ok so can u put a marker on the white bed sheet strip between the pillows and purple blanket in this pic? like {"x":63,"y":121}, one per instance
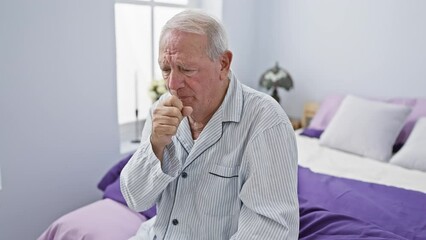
{"x":337,"y":163}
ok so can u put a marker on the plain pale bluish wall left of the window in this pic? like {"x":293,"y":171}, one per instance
{"x":58,"y":128}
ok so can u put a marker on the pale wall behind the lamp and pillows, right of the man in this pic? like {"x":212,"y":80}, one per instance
{"x":362,"y":47}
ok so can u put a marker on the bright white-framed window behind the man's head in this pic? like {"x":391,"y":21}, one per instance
{"x":138,"y":25}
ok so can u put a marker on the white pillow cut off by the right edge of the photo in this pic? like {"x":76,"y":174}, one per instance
{"x":413,"y":154}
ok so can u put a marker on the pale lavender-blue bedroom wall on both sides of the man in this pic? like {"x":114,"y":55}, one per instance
{"x":58,"y":131}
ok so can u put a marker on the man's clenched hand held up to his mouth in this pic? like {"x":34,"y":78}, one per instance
{"x":165,"y":122}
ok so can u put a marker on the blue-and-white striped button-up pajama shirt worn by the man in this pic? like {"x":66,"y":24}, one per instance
{"x":237,"y":181}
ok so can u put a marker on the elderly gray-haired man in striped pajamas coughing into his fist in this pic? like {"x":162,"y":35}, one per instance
{"x":217,"y":157}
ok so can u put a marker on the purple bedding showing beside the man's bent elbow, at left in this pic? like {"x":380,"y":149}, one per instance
{"x":110,"y":185}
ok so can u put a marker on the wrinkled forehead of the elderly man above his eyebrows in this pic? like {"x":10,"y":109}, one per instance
{"x":183,"y":43}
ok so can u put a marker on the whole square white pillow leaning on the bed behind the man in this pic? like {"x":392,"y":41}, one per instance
{"x":365,"y":127}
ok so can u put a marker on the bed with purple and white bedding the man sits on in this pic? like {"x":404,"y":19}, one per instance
{"x":361,"y":175}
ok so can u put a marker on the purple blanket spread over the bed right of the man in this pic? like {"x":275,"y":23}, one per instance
{"x":338,"y":208}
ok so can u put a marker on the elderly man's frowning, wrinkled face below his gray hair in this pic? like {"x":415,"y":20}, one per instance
{"x":188,"y":71}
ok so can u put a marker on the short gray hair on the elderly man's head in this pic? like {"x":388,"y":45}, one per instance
{"x":198,"y":22}
